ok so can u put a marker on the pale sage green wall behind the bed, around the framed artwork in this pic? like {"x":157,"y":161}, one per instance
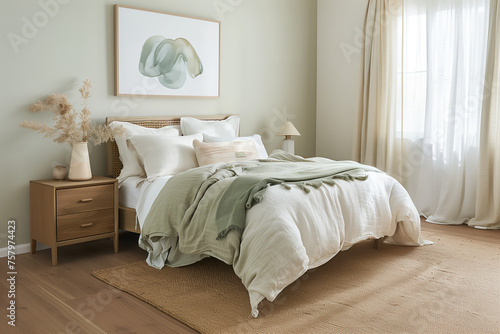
{"x":268,"y":70}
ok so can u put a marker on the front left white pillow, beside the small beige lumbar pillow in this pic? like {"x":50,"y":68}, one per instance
{"x":164,"y":155}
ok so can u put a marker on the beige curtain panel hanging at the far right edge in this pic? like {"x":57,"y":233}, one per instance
{"x":488,"y":192}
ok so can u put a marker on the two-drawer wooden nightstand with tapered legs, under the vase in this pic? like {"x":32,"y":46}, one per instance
{"x":69,"y":212}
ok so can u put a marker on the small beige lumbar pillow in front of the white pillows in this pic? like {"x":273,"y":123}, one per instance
{"x":209,"y":153}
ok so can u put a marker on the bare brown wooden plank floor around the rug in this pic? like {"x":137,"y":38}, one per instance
{"x":68,"y":299}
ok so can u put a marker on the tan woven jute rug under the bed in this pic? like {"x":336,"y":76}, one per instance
{"x":452,"y":286}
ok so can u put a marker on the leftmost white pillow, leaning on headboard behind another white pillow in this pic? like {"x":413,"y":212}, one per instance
{"x":129,"y":158}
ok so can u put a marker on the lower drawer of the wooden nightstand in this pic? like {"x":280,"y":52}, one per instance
{"x":84,"y":224}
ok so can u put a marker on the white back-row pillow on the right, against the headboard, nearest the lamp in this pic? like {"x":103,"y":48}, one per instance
{"x":226,"y":128}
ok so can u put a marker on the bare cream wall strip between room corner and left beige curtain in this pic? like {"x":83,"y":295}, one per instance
{"x":340,"y":48}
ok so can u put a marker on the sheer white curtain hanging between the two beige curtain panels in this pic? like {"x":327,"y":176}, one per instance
{"x":443,"y":45}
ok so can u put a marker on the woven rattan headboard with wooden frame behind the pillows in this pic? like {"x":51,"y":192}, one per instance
{"x":114,"y":165}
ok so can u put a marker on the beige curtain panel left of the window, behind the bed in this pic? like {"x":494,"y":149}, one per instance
{"x":376,"y":144}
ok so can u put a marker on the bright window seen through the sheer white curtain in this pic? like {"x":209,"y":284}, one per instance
{"x":442,"y":54}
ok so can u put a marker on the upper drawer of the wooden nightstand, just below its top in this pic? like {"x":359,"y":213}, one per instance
{"x":84,"y":199}
